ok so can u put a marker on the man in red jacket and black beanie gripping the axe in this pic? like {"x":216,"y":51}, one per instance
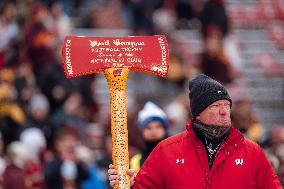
{"x":211,"y":153}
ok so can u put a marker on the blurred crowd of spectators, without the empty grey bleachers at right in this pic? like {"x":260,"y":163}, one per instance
{"x":55,"y":133}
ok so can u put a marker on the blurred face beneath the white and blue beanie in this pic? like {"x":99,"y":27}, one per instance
{"x":154,"y":131}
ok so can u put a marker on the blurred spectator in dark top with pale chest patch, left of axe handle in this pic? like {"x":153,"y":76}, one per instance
{"x":65,"y":170}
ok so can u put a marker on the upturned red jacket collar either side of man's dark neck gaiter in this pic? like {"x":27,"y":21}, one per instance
{"x":235,"y":134}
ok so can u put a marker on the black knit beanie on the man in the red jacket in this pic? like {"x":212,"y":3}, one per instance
{"x":203,"y":91}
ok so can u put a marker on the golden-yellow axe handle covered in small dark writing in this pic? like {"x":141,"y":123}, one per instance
{"x":120,"y":154}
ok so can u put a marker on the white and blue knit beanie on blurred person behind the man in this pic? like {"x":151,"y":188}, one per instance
{"x":151,"y":112}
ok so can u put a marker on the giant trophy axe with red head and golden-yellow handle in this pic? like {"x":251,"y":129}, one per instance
{"x":116,"y":56}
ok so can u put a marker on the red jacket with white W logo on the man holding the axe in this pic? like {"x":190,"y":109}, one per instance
{"x":180,"y":162}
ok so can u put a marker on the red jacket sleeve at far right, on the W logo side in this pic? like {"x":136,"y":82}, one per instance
{"x":265,"y":175}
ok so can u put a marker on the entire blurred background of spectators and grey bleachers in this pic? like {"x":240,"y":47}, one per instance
{"x":55,"y":132}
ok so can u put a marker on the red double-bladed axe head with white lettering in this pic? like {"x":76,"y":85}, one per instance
{"x":85,"y":55}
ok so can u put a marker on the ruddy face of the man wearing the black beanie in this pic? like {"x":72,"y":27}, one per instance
{"x":218,"y":113}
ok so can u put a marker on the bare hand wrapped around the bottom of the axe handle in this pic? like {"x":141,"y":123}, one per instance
{"x":114,"y":178}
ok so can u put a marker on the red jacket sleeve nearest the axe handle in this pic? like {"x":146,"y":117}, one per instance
{"x":150,"y":174}
